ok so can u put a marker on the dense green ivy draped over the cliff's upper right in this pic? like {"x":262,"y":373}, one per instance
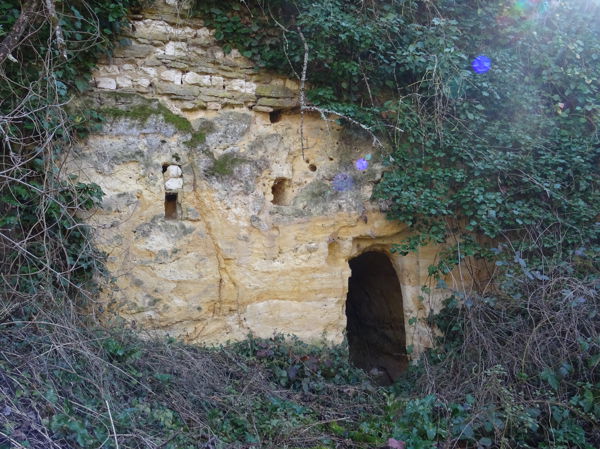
{"x":509,"y":154}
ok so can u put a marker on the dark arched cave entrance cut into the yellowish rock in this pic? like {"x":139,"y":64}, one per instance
{"x":375,"y":314}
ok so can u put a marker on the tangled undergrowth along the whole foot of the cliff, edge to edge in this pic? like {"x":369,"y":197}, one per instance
{"x":518,"y":369}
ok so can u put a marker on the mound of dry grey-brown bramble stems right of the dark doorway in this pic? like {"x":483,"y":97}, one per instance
{"x":533,"y":344}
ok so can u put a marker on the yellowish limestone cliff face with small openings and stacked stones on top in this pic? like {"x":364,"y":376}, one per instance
{"x":218,"y":221}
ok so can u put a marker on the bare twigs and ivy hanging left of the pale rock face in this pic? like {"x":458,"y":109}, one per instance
{"x":47,"y":51}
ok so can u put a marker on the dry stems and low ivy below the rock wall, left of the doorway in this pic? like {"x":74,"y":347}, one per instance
{"x":72,"y":387}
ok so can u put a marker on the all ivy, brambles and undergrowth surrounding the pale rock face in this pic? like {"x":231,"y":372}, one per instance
{"x":501,"y":165}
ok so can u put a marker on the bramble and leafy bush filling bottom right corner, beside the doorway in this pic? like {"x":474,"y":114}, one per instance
{"x":516,"y":367}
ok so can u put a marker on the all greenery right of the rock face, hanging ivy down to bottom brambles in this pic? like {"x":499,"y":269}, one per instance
{"x":499,"y":163}
